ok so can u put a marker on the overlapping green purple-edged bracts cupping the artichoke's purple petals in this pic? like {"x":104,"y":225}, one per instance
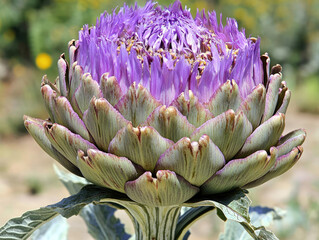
{"x":126,"y":139}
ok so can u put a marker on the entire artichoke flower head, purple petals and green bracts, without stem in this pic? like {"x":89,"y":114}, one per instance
{"x":162,"y":106}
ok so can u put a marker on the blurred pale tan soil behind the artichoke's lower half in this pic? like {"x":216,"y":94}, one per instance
{"x":24,"y":167}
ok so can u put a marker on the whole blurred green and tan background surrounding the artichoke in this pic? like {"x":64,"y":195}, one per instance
{"x":33,"y":33}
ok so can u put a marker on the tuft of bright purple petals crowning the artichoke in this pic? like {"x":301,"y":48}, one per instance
{"x":170,"y":52}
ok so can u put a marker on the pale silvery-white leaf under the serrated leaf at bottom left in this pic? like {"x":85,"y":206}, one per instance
{"x":56,"y":229}
